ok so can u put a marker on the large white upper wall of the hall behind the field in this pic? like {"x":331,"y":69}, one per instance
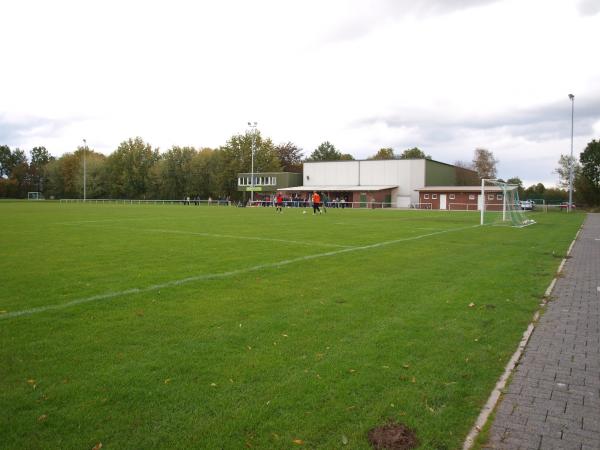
{"x":407,"y":174}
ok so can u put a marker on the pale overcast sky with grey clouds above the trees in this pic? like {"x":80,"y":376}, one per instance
{"x":446,"y":76}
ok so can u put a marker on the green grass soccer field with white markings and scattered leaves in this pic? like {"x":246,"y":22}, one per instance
{"x":195,"y":327}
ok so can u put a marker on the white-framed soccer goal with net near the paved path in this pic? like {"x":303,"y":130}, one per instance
{"x":499,"y":205}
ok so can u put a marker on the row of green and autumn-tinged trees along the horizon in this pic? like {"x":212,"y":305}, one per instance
{"x":136,"y":170}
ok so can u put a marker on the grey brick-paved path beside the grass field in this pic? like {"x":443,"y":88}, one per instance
{"x":553,"y":401}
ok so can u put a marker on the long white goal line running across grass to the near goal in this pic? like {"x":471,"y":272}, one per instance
{"x":216,"y":276}
